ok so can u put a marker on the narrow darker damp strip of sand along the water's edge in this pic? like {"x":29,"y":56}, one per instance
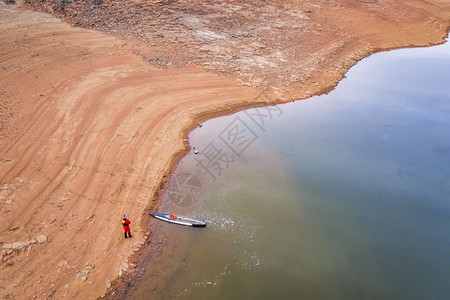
{"x":205,"y":114}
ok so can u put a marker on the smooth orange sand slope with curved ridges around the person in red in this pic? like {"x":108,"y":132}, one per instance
{"x":93,"y":132}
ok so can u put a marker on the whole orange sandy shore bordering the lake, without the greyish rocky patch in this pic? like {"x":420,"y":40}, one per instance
{"x":89,"y":128}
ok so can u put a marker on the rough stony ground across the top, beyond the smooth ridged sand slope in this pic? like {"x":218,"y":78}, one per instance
{"x":294,"y":47}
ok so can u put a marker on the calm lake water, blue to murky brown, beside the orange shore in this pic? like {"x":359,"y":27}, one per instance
{"x":341,"y":196}
